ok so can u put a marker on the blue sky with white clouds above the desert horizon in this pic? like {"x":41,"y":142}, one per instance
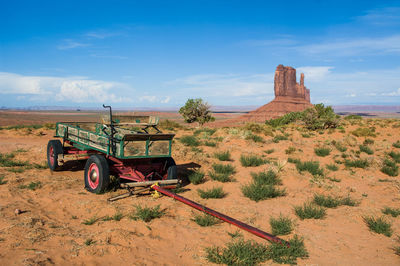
{"x":160,"y":53}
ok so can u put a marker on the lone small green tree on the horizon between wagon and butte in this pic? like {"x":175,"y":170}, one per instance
{"x":195,"y":110}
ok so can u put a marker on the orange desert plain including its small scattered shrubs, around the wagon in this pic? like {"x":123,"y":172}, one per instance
{"x":63,"y":224}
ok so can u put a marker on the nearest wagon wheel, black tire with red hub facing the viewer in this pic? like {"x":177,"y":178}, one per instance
{"x":97,"y":174}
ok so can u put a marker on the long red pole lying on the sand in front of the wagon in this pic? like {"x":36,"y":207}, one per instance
{"x":221,"y":216}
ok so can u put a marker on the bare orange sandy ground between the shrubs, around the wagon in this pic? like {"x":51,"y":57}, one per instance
{"x":51,"y":230}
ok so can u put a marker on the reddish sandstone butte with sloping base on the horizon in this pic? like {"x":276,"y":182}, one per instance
{"x":290,"y":96}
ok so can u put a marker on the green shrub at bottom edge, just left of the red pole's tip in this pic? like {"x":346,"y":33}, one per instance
{"x":238,"y":253}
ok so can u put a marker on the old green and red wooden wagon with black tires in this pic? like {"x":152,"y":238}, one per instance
{"x":121,"y":146}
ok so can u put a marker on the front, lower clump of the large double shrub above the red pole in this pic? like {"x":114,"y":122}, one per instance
{"x":257,"y":192}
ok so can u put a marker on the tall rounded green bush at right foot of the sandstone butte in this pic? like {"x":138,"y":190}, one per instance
{"x":320,"y":117}
